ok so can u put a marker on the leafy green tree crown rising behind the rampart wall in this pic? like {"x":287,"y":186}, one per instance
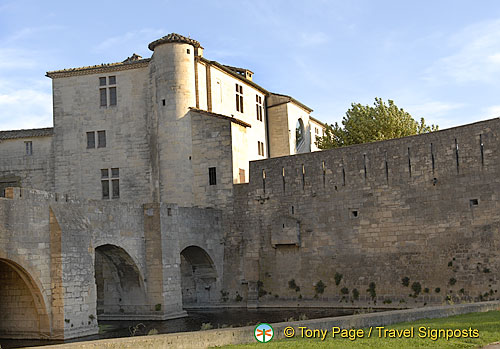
{"x":363,"y":124}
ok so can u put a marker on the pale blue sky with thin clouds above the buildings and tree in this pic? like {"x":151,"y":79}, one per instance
{"x":436,"y":59}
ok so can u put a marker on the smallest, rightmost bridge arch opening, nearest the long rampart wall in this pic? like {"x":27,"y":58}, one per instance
{"x":198,"y":276}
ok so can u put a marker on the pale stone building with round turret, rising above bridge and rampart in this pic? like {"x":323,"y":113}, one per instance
{"x":174,"y":128}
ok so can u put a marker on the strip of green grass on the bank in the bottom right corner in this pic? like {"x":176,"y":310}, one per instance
{"x":488,"y":325}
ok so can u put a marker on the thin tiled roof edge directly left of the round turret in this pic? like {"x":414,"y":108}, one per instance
{"x":130,"y":63}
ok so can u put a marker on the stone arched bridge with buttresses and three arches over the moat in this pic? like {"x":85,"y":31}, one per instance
{"x":65,"y":264}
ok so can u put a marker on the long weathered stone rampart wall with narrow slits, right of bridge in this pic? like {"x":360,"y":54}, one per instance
{"x":381,"y":225}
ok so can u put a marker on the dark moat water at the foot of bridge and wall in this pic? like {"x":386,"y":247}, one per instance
{"x":217,"y":318}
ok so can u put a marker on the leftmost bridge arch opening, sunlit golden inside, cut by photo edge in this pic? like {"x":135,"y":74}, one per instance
{"x":23,"y":309}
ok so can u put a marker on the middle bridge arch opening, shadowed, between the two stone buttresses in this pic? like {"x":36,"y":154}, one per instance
{"x":120,"y":286}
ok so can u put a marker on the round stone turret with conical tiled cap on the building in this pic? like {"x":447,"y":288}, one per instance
{"x":172,"y":76}
